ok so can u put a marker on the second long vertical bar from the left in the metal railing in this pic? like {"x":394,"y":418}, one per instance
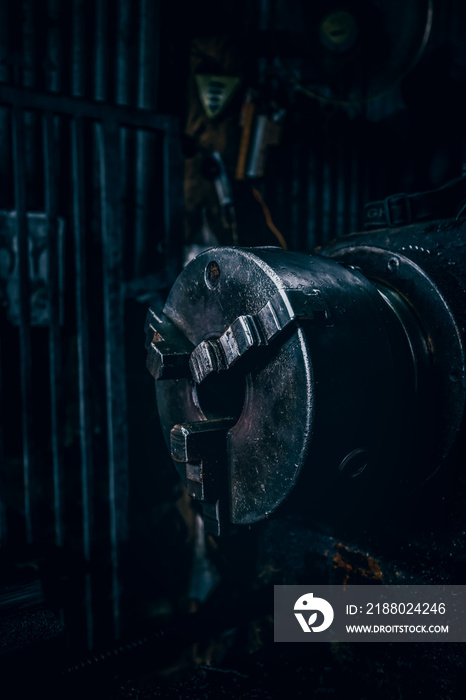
{"x":56,"y":392}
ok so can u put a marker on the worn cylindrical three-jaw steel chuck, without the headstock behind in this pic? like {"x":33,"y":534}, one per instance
{"x":285,"y":381}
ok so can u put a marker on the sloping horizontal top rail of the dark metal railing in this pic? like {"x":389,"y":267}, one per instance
{"x":101,"y":112}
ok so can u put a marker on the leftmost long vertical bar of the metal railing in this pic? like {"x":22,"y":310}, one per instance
{"x":19,"y":176}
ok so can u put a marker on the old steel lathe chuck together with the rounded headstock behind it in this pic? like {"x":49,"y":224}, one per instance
{"x":313,"y":384}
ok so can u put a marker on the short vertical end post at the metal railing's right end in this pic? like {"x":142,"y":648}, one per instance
{"x":173,"y":172}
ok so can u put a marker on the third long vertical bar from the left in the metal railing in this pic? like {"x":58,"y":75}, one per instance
{"x":82,"y":329}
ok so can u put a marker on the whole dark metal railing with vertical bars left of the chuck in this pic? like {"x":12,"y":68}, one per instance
{"x":73,"y":124}
